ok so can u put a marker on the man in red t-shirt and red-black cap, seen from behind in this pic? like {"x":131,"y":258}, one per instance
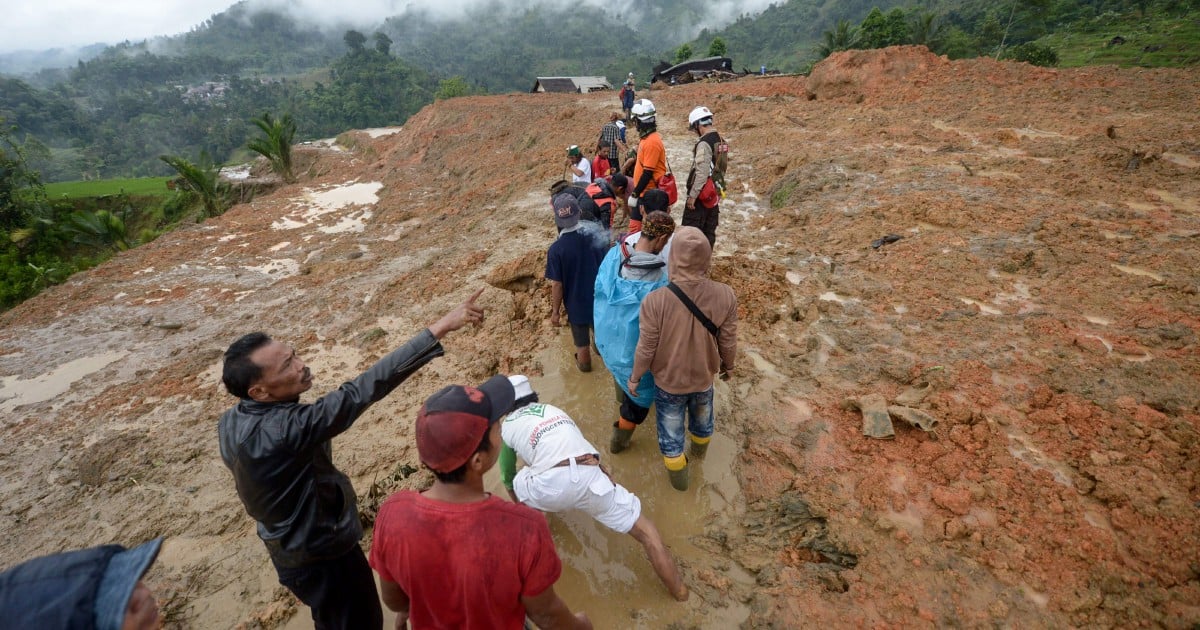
{"x":455,"y":556}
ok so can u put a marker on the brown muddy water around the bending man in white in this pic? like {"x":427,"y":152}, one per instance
{"x":605,"y":574}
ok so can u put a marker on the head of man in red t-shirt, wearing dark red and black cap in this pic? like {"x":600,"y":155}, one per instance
{"x":455,"y":425}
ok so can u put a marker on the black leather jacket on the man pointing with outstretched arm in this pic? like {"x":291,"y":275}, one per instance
{"x":281,"y":458}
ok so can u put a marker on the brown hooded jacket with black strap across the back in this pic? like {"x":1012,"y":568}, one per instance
{"x":674,"y":345}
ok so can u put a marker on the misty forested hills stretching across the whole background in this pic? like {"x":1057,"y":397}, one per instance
{"x":194,"y":94}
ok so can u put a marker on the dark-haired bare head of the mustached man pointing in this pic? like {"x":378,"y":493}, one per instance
{"x":261,"y":369}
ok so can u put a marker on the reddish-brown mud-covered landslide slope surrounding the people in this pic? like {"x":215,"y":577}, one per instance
{"x":1041,"y":305}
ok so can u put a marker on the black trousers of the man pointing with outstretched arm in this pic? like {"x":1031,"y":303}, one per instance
{"x":340,"y":592}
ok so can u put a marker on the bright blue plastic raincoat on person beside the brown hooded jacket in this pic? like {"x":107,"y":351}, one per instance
{"x":616,"y":309}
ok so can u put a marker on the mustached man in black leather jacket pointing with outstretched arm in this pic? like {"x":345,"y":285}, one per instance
{"x":280,"y":453}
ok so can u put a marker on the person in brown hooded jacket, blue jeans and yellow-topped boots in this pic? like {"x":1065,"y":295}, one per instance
{"x":683,"y":353}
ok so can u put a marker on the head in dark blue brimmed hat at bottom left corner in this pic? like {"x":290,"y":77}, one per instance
{"x":99,"y":587}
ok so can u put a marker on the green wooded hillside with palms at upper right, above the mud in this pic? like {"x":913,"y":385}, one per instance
{"x":795,"y":34}
